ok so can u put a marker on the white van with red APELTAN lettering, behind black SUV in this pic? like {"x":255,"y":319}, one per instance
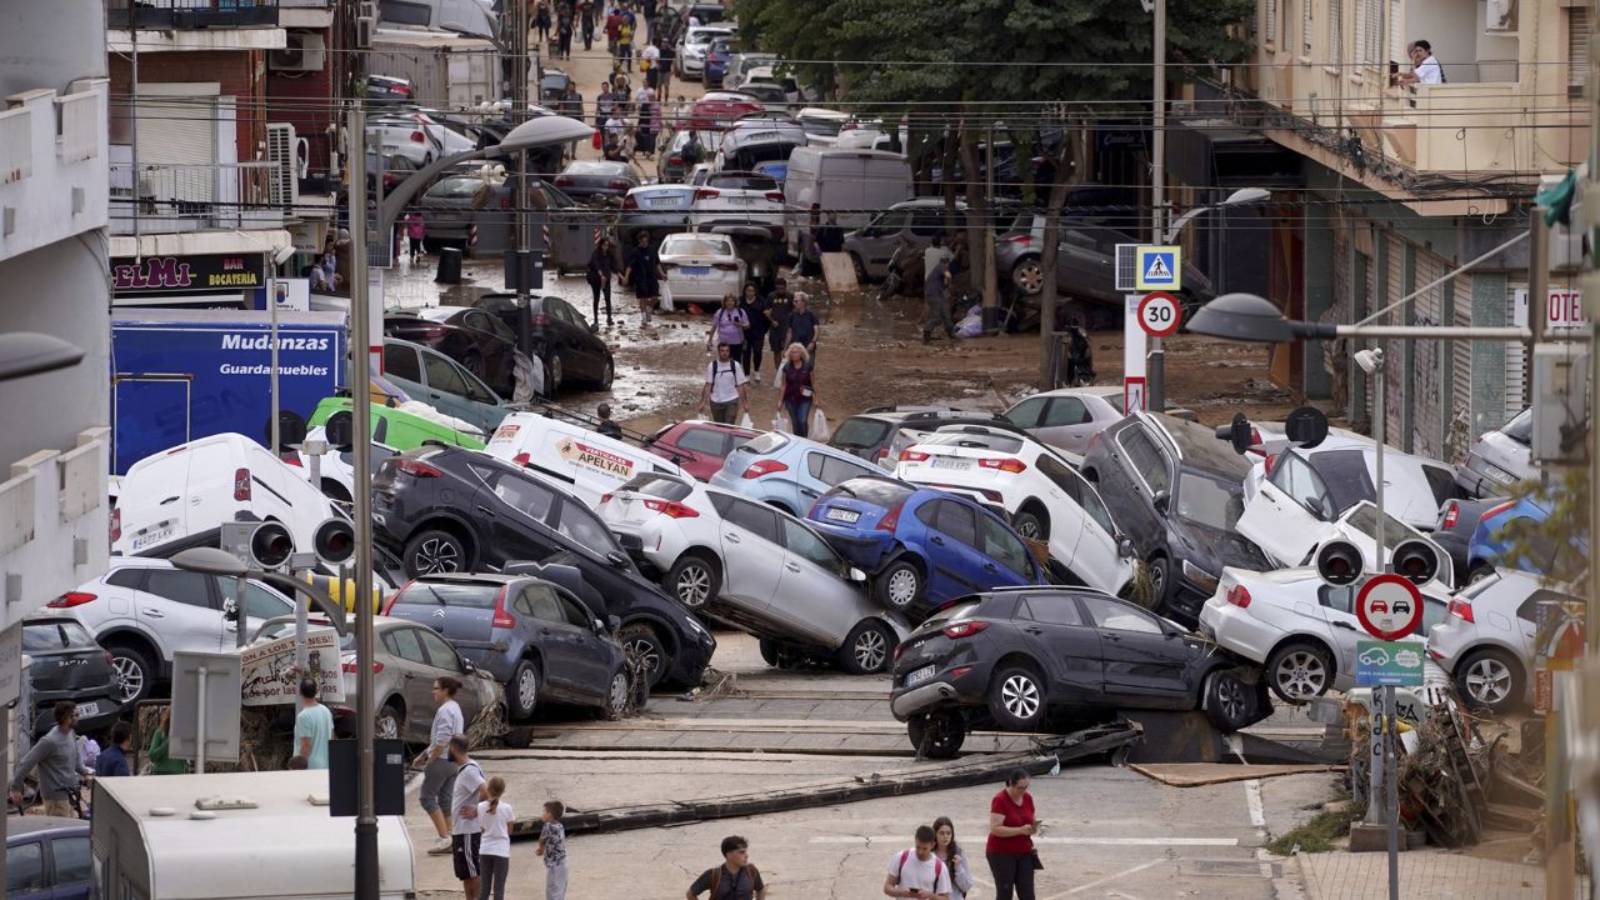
{"x":590,"y":464}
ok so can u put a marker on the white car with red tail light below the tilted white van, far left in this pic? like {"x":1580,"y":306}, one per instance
{"x":143,"y":611}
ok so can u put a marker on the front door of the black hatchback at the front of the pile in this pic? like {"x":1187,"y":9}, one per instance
{"x":1145,"y":664}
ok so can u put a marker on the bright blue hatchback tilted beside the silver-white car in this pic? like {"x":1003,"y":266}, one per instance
{"x":922,"y":548}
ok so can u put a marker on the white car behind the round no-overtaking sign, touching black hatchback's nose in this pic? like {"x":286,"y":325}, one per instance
{"x":1300,"y":629}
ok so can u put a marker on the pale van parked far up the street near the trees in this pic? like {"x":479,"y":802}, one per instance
{"x":849,"y":182}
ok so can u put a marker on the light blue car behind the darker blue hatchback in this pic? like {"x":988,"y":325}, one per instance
{"x":788,"y":472}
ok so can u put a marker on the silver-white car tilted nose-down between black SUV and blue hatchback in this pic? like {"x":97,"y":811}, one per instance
{"x":754,"y":568}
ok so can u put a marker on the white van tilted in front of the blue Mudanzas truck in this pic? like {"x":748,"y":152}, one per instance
{"x":180,"y":497}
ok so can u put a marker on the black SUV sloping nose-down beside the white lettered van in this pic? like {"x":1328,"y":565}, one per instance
{"x":446,"y":510}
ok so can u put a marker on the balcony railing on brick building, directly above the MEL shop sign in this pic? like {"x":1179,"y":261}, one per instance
{"x":193,"y":198}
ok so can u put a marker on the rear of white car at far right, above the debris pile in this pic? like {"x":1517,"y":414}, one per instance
{"x":1487,"y":643}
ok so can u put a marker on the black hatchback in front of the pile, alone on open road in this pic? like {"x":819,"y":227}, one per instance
{"x":1020,"y":657}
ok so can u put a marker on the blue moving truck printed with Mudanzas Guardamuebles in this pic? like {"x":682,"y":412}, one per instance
{"x":186,"y":374}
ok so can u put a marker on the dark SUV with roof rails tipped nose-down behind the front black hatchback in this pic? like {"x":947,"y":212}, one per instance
{"x":1178,"y":492}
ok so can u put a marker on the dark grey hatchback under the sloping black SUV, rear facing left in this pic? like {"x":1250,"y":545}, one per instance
{"x":532,"y":635}
